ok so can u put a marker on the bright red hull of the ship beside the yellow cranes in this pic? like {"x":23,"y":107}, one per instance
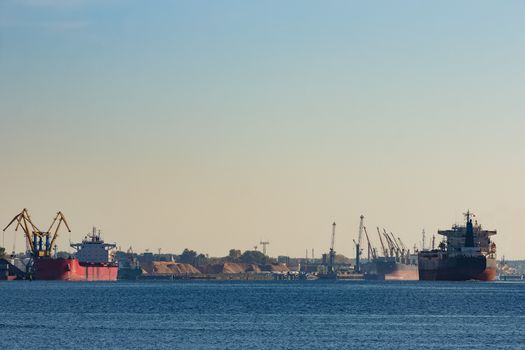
{"x":72,"y":270}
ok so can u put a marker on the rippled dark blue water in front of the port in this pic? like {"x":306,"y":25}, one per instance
{"x":262,"y":315}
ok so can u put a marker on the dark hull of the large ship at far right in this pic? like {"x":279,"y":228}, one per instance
{"x":433,"y":267}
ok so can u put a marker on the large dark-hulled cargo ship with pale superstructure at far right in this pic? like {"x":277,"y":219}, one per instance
{"x":466,"y":253}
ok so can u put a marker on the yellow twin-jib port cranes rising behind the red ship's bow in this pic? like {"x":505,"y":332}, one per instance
{"x":40,"y":242}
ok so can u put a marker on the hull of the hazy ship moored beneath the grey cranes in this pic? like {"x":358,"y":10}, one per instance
{"x":390,"y":271}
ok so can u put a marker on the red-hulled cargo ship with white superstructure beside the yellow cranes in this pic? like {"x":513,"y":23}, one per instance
{"x":93,"y":261}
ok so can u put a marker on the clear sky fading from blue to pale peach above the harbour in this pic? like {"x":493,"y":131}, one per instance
{"x":214,"y":125}
